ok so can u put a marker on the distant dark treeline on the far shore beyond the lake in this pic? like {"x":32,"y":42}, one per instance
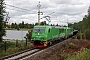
{"x":22,"y":25}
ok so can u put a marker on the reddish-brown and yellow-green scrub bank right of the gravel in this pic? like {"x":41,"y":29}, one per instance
{"x":79,"y":50}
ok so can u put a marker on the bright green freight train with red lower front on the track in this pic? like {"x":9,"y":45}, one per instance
{"x":43,"y":36}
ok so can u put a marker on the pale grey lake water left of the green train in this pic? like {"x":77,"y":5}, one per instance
{"x":15,"y":34}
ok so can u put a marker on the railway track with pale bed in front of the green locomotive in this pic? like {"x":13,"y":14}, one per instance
{"x":23,"y":54}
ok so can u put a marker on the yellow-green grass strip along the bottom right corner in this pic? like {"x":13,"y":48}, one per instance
{"x":84,"y":55}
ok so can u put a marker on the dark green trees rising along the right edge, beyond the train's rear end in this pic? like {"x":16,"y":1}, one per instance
{"x":83,"y":26}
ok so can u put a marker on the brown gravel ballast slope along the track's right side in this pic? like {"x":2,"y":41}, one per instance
{"x":46,"y":51}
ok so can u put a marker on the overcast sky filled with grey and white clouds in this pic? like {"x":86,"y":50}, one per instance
{"x":60,"y":11}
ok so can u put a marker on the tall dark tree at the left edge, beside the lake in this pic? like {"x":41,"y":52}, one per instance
{"x":2,"y":10}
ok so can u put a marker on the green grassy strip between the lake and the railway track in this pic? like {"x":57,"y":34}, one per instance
{"x":11,"y":47}
